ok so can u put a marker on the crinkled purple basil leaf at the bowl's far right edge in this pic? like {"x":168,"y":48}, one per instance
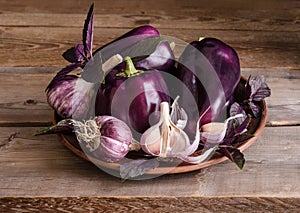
{"x":259,"y":88}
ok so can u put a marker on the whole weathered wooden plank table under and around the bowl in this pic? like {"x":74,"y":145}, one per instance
{"x":40,"y":173}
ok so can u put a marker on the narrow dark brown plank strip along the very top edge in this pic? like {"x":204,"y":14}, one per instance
{"x":227,"y":7}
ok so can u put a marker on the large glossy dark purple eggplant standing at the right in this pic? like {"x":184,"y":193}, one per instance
{"x":210,"y":70}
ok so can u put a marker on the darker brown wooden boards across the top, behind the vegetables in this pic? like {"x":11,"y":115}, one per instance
{"x":36,"y":33}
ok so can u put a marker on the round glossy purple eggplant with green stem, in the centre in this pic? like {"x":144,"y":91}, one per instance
{"x":132,"y":96}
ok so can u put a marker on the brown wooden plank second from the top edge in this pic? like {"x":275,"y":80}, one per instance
{"x":198,"y":19}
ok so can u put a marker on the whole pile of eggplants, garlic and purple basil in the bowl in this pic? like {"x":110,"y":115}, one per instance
{"x":133,"y":96}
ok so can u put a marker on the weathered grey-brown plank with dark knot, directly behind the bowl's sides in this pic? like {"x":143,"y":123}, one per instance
{"x":27,"y":105}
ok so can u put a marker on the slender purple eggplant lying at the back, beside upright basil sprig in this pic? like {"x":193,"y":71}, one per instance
{"x":122,"y":43}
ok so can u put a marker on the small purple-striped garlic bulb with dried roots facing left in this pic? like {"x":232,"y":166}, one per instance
{"x":105,"y":137}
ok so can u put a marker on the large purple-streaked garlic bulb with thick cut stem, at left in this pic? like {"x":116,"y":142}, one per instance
{"x":72,"y":96}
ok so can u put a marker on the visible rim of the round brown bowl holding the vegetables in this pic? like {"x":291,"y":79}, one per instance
{"x":256,"y":128}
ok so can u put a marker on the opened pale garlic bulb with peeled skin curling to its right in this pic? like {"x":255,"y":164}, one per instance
{"x":165,"y":139}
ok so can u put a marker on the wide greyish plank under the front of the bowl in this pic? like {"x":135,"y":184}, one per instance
{"x":42,"y":166}
